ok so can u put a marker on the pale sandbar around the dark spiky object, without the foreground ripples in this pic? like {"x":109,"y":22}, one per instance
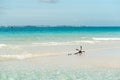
{"x":102,"y":55}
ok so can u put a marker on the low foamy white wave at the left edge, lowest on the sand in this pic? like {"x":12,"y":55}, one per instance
{"x":20,"y":57}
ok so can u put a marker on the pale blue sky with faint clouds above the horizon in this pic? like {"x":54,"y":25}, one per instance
{"x":60,"y":12}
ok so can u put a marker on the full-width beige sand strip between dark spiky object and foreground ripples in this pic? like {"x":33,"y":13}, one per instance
{"x":56,"y":61}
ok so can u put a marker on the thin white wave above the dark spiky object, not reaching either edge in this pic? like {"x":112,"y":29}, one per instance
{"x":63,"y":43}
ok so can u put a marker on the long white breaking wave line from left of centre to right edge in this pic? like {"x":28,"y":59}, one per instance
{"x":91,"y":40}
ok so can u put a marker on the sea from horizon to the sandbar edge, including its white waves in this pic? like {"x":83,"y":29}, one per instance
{"x":14,"y":40}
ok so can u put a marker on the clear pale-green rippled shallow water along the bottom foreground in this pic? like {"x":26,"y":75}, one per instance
{"x":61,"y":74}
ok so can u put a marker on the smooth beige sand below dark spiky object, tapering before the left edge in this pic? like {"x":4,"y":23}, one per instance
{"x":78,"y":61}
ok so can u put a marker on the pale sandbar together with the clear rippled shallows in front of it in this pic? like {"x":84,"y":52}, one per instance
{"x":100,"y":61}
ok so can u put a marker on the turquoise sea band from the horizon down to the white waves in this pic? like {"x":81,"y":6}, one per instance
{"x":10,"y":35}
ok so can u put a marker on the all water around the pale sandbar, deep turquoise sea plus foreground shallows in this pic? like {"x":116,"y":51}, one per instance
{"x":23,"y":40}
